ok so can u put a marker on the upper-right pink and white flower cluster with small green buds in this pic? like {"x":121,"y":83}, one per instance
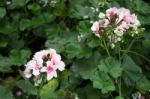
{"x":119,"y":21}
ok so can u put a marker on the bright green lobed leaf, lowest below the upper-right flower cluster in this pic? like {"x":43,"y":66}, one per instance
{"x":102,"y":81}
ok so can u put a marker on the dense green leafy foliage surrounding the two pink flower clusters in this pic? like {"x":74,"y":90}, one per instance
{"x":27,"y":26}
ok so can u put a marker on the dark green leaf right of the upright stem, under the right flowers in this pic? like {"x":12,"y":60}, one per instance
{"x":132,"y":72}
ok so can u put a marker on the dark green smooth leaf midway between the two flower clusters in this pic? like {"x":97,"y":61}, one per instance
{"x":86,"y":67}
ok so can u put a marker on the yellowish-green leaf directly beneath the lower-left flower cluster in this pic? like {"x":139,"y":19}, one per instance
{"x":48,"y":90}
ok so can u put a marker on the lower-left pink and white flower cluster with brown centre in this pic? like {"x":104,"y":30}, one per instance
{"x":44,"y":61}
